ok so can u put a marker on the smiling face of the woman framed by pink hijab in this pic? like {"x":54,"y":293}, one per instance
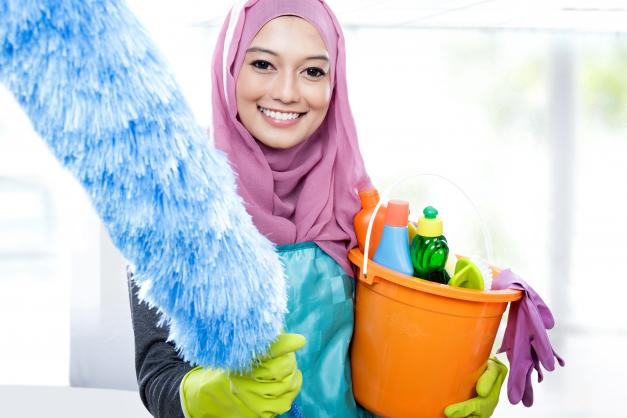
{"x":284,"y":88}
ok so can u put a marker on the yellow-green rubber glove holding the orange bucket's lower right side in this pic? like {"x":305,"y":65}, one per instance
{"x":488,"y":389}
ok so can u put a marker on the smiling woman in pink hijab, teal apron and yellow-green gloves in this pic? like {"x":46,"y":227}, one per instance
{"x":281,"y":114}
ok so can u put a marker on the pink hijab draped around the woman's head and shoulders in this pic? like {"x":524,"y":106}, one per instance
{"x":308,"y":192}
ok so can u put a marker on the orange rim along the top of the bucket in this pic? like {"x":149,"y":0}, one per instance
{"x":377,"y":272}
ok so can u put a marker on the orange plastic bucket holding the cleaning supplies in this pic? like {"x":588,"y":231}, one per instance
{"x":419,"y":346}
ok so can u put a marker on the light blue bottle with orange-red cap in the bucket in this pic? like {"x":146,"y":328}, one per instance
{"x":393,"y":251}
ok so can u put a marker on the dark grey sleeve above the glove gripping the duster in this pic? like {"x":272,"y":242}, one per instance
{"x":158,"y":367}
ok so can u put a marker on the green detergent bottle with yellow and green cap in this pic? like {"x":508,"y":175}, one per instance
{"x":429,"y":249}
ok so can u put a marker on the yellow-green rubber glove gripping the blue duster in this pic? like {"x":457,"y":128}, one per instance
{"x":266,"y":391}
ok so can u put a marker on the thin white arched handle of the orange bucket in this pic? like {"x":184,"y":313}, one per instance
{"x":484,"y":231}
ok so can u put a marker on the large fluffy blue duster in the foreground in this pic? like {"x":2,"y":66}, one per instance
{"x":97,"y":91}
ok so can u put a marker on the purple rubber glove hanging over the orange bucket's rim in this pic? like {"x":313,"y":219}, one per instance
{"x":526,"y":341}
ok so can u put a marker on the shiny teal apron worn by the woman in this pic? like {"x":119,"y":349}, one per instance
{"x":320,"y":304}
